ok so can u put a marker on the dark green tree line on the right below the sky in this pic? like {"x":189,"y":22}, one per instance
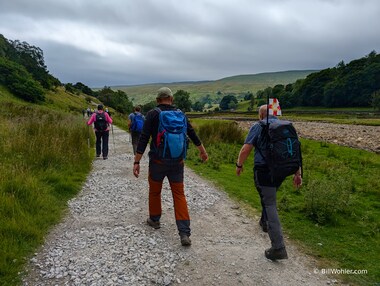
{"x":356,"y":84}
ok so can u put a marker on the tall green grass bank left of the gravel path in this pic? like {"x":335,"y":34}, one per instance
{"x":44,"y":161}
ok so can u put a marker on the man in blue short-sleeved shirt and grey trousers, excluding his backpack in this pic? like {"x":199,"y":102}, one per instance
{"x":266,"y":182}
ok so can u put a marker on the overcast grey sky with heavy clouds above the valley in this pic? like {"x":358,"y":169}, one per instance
{"x":117,"y":42}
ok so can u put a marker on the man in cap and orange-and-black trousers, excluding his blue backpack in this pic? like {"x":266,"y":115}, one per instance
{"x":160,"y":168}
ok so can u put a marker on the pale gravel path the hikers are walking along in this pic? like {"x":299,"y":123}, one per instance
{"x":104,"y":239}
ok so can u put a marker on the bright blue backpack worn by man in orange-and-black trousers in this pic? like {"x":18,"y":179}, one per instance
{"x":172,"y":134}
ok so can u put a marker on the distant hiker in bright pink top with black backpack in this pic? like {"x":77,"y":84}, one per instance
{"x":101,"y":122}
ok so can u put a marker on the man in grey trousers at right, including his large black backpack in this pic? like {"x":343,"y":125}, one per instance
{"x":277,"y":154}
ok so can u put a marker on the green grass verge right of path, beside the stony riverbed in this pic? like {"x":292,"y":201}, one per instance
{"x":335,"y":215}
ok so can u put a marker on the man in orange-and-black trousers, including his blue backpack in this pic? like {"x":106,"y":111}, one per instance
{"x":166,"y":159}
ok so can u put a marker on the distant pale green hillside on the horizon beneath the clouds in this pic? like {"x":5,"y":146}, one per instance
{"x":240,"y":84}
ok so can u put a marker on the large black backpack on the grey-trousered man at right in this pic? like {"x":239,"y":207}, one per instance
{"x":282,"y":148}
